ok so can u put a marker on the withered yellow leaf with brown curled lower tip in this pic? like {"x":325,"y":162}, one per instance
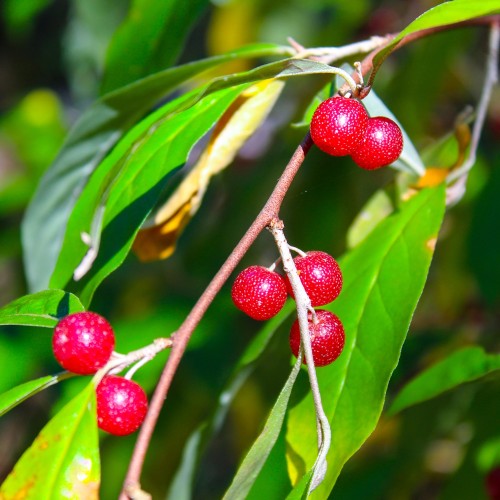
{"x":158,"y":239}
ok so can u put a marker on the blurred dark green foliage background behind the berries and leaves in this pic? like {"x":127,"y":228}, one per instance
{"x":53,"y":56}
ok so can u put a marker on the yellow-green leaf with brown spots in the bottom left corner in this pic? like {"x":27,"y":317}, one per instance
{"x":63,"y":461}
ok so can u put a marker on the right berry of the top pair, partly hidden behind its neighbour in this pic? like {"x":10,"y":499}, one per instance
{"x":381,"y":146}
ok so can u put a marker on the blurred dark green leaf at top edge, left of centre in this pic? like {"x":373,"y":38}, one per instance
{"x":149,"y":40}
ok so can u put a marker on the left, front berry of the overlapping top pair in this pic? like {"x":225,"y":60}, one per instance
{"x":338,"y":125}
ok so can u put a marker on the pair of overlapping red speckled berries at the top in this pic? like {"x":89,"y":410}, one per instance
{"x":342,"y":126}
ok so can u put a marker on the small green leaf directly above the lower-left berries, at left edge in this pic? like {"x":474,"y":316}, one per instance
{"x":40,"y":309}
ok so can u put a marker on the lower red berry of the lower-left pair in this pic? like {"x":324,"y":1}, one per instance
{"x":121,"y":405}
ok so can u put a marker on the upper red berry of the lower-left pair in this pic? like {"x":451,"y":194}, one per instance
{"x":83,"y":342}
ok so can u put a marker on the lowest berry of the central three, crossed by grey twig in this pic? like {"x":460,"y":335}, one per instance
{"x":327,"y":337}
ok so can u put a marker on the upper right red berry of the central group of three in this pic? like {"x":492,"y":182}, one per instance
{"x":321,"y":276}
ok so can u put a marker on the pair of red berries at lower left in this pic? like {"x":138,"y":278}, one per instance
{"x":83,"y":343}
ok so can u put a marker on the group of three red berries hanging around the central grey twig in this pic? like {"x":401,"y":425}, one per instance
{"x":262,"y":293}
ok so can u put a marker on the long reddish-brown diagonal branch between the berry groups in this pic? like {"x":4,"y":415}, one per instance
{"x":181,"y":337}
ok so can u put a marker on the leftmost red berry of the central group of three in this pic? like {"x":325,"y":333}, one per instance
{"x":259,"y":292}
